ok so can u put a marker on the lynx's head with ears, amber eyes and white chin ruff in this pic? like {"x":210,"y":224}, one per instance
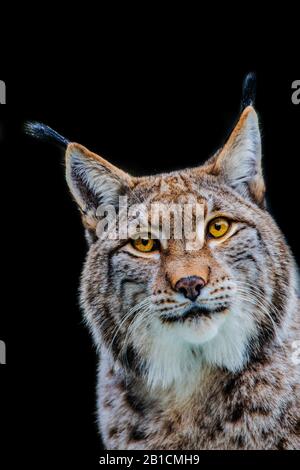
{"x":165,"y":311}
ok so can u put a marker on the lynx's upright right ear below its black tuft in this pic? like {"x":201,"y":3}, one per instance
{"x":239,"y":162}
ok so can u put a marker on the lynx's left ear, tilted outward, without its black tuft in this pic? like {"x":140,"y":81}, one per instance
{"x":93,"y":181}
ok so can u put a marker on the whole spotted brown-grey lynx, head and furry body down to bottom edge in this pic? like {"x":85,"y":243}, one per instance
{"x":220,"y":379}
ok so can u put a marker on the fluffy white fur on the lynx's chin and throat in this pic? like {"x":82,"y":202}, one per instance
{"x":177,"y":353}
